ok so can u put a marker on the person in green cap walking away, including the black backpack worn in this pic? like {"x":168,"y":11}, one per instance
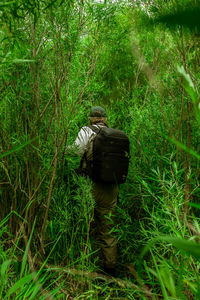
{"x":99,"y":147}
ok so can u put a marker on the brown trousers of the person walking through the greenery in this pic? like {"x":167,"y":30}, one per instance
{"x":105,"y":196}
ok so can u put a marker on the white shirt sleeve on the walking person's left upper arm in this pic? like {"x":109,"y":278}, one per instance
{"x":85,"y":136}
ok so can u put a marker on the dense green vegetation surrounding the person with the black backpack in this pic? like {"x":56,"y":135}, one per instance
{"x":141,"y":62}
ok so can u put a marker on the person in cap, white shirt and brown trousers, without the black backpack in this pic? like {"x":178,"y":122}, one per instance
{"x":105,"y":194}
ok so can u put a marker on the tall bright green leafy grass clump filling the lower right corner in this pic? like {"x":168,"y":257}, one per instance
{"x":170,"y":261}
